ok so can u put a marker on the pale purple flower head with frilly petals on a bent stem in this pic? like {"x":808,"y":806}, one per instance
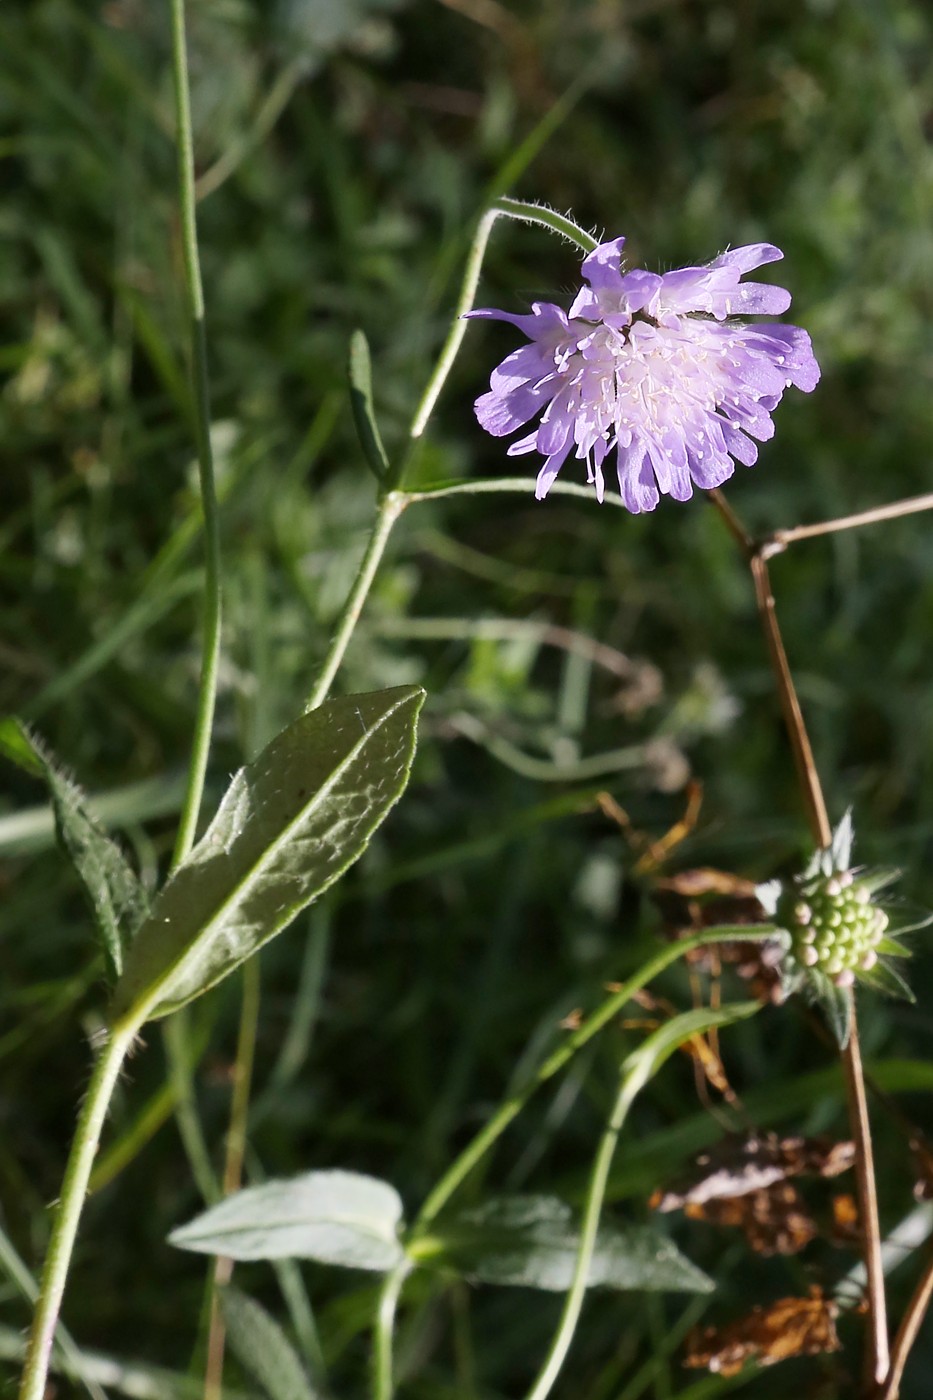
{"x":655,"y":369}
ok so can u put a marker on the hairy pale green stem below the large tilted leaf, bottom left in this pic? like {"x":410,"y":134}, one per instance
{"x":68,"y":1212}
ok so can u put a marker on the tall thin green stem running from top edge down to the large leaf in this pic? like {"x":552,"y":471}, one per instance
{"x":195,"y":306}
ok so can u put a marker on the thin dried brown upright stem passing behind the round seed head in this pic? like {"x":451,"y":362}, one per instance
{"x":878,"y":1357}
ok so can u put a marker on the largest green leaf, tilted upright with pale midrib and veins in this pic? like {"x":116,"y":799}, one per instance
{"x":289,"y":825}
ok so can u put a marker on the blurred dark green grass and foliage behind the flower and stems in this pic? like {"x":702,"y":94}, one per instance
{"x":345,"y":152}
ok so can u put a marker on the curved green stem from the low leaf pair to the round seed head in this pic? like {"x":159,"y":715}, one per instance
{"x":515,"y":1104}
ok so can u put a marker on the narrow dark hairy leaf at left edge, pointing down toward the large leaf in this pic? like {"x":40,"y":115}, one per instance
{"x":114,"y":894}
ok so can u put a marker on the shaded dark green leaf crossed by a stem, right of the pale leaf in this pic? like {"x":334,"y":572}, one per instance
{"x":533,"y":1242}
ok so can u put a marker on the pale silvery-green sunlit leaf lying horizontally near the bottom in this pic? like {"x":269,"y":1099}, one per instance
{"x":334,"y":1217}
